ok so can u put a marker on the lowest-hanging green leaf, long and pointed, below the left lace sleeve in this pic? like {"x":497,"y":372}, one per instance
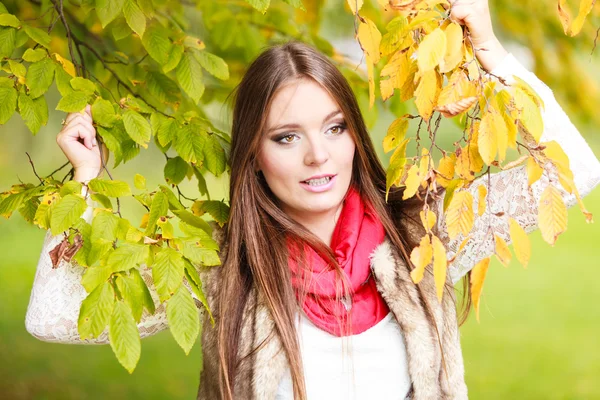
{"x":124,"y":336}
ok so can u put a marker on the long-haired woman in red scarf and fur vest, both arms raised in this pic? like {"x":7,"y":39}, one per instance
{"x":307,"y":194}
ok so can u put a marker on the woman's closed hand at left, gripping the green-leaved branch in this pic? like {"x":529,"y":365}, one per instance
{"x":77,"y":140}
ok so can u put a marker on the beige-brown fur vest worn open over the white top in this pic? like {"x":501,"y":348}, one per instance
{"x":258,"y":375}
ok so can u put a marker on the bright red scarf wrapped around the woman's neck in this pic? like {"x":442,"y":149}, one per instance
{"x":357,"y":232}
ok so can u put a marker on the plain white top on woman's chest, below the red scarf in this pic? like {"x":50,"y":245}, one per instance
{"x":370,"y":365}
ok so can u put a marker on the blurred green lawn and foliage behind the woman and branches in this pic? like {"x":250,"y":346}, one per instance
{"x":539,"y":332}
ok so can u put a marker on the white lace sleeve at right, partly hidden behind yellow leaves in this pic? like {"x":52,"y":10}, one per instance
{"x":509,"y":191}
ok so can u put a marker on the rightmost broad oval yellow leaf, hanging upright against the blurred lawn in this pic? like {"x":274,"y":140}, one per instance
{"x":552,"y":214}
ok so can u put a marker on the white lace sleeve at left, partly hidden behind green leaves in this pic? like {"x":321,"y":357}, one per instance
{"x":57,"y":294}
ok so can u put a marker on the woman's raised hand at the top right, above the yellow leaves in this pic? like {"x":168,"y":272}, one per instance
{"x":475,"y":15}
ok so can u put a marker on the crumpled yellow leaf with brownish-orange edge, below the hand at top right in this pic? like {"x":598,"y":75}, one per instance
{"x":458,"y":96}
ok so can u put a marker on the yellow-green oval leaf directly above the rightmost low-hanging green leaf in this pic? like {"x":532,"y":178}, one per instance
{"x":167,"y":272}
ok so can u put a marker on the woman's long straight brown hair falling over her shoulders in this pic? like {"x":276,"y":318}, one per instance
{"x":257,"y":227}
